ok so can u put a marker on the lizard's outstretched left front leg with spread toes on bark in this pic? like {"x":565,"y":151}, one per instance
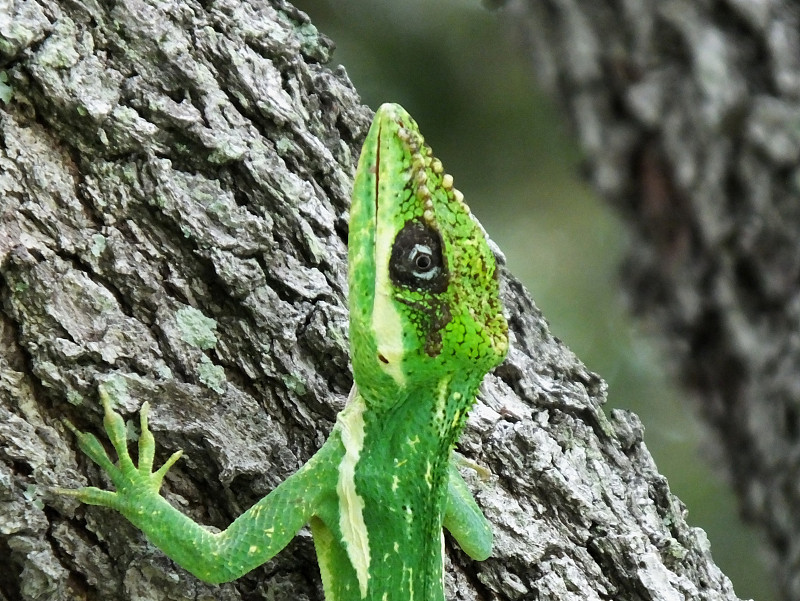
{"x":253,"y":538}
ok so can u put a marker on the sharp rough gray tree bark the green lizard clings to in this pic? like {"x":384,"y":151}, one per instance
{"x":175,"y":179}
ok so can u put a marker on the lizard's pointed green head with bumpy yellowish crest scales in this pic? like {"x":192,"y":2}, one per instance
{"x":424,"y":298}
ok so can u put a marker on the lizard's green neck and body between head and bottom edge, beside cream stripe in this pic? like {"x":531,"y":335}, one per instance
{"x":402,"y":475}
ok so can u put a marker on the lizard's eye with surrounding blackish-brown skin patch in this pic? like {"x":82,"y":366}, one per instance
{"x":417,"y":259}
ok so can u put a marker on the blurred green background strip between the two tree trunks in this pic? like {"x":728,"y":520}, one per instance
{"x":455,"y":67}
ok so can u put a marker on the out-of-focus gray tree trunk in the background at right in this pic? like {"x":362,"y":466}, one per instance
{"x":688,"y":113}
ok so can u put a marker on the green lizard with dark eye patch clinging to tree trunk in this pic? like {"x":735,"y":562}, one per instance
{"x":426,"y":325}
